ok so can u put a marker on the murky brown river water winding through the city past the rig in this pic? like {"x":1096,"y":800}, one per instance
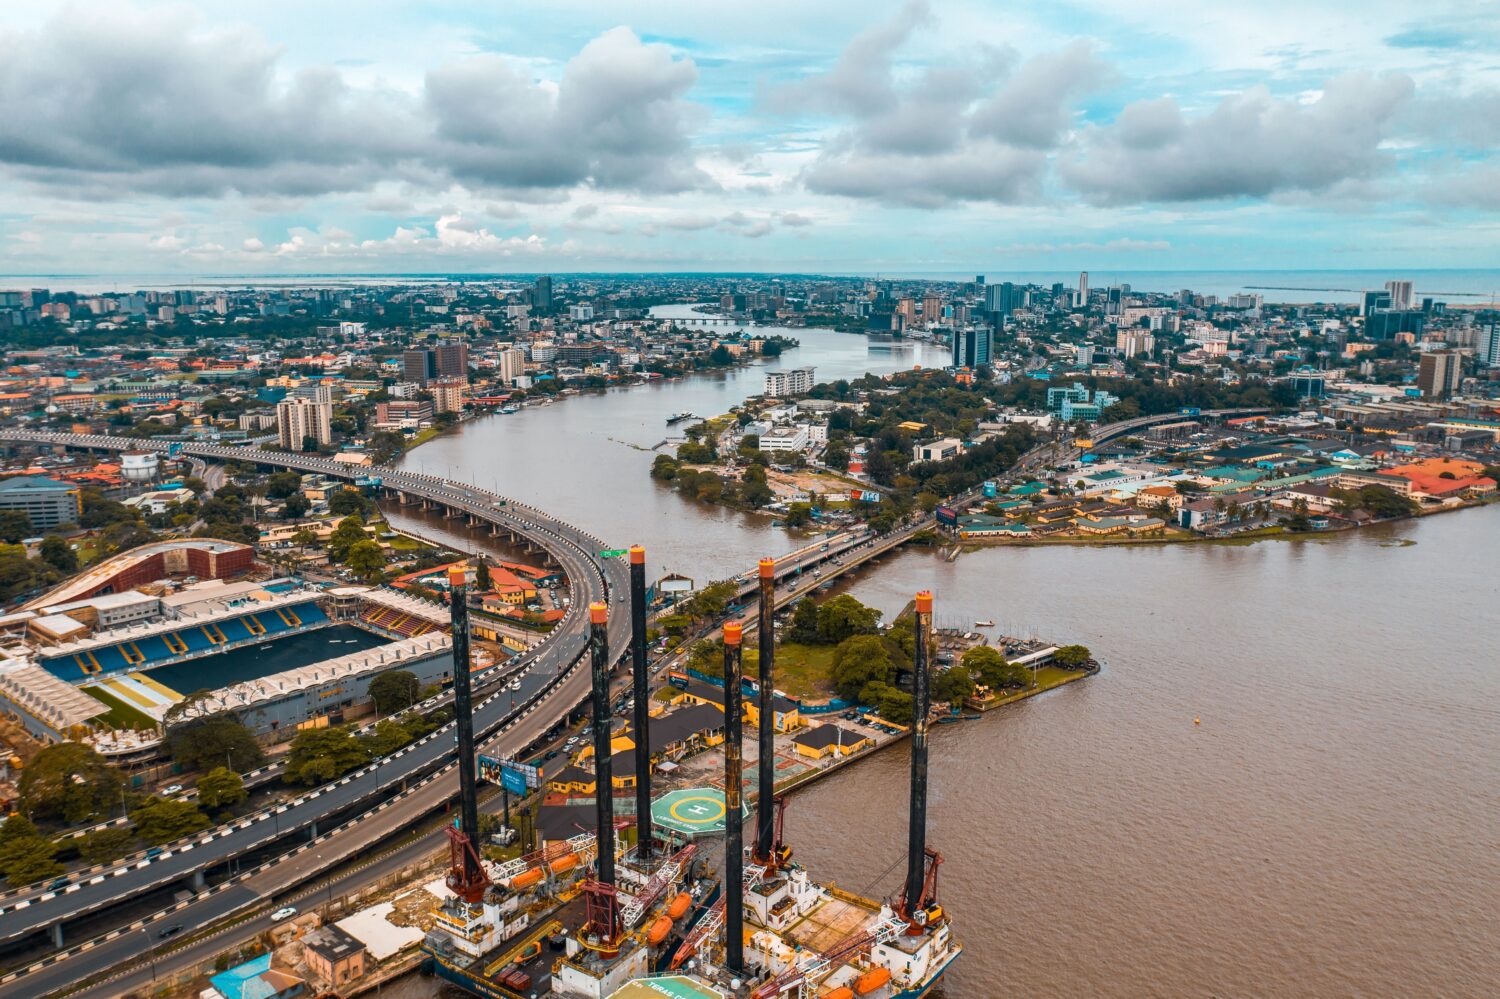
{"x":1331,"y":826}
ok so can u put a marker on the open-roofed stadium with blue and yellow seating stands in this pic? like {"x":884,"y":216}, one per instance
{"x":199,"y":623}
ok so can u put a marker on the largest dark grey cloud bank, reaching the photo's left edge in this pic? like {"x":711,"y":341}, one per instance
{"x":133,"y":101}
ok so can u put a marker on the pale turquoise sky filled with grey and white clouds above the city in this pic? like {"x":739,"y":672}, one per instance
{"x":290,"y":137}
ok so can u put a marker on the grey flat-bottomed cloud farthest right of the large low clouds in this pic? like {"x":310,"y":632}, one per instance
{"x":1250,"y":145}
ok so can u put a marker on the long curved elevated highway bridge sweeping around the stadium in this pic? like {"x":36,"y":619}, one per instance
{"x":553,"y":685}
